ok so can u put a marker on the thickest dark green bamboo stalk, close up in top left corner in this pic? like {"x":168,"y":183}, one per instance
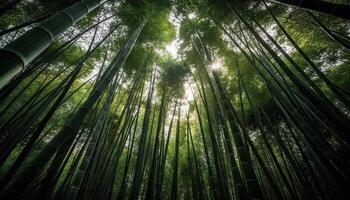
{"x":15,"y":56}
